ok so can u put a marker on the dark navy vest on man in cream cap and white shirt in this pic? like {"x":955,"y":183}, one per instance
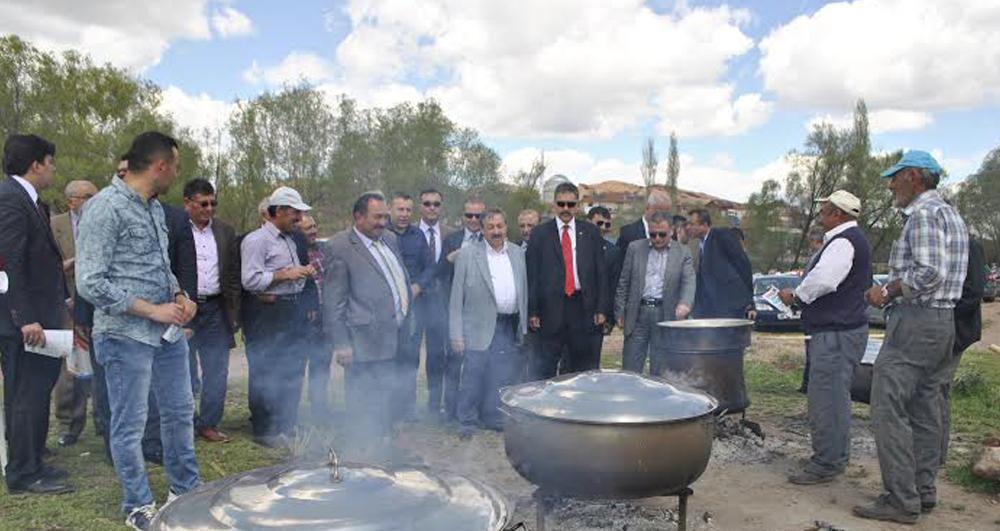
{"x":844,"y":308}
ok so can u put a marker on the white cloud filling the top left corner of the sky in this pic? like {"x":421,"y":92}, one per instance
{"x":127,"y":33}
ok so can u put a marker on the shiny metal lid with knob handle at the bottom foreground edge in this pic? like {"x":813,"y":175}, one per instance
{"x":369,"y":498}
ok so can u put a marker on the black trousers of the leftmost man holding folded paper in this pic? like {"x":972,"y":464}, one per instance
{"x":28,"y":382}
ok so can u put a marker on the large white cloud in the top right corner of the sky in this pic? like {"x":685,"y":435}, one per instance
{"x":906,"y":55}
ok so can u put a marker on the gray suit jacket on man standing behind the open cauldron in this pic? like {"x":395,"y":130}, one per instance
{"x":678,"y":282}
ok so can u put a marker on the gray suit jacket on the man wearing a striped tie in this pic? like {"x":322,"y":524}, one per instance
{"x":358,"y":307}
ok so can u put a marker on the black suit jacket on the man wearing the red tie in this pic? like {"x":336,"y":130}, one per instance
{"x":546,"y":274}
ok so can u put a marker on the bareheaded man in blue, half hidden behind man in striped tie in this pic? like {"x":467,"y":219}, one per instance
{"x":420,"y":266}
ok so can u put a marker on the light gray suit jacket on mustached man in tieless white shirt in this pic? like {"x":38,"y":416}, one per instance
{"x":473,"y":308}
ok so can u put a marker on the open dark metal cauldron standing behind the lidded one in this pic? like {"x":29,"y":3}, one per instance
{"x":707,"y":354}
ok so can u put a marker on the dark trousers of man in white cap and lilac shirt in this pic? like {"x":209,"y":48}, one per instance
{"x":277,"y":361}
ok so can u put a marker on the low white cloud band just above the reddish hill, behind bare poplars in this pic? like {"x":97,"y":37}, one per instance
{"x":717,"y":177}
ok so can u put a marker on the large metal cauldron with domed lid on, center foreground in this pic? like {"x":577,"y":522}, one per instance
{"x":608,"y":434}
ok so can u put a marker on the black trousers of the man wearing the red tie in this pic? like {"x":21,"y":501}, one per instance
{"x":576,"y":335}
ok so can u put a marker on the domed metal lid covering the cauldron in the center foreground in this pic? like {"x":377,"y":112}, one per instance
{"x":609,"y":397}
